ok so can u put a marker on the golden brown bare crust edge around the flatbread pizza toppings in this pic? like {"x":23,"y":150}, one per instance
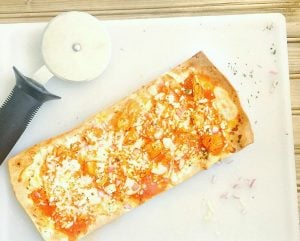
{"x":19,"y":163}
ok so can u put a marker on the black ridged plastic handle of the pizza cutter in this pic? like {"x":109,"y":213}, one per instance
{"x":19,"y":109}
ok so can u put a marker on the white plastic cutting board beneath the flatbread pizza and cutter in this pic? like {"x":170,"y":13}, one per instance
{"x":218,"y":204}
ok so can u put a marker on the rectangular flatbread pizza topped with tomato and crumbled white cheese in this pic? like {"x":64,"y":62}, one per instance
{"x":177,"y":125}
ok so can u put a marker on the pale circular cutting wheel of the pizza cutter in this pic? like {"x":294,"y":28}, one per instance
{"x":76,"y":47}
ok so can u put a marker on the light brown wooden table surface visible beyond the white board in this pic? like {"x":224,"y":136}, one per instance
{"x":42,"y":10}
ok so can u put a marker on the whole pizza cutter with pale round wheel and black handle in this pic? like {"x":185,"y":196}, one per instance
{"x":75,"y":47}
